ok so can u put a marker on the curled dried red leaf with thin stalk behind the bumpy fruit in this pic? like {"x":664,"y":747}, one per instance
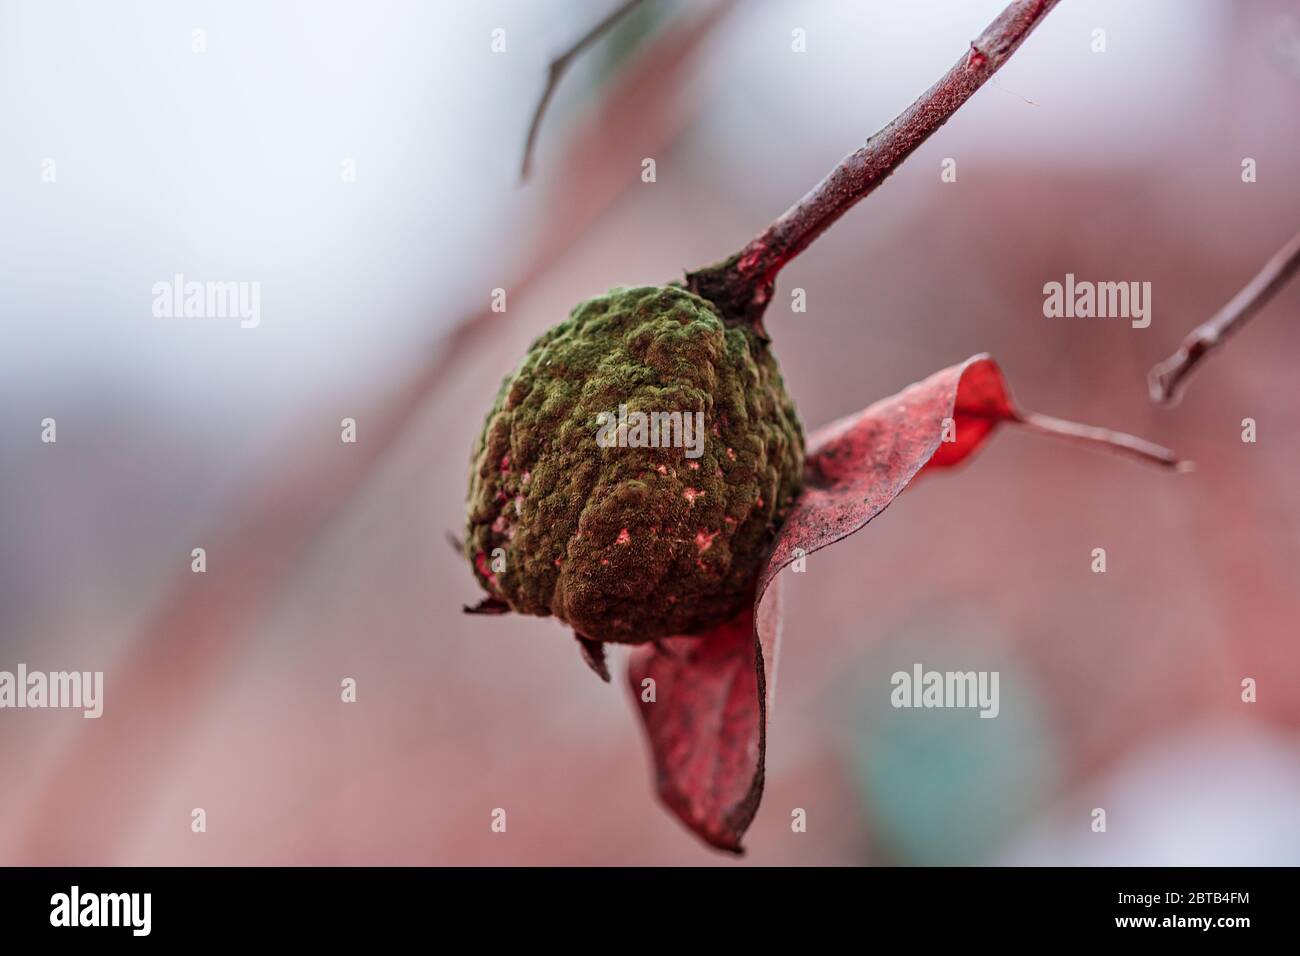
{"x":708,"y":726}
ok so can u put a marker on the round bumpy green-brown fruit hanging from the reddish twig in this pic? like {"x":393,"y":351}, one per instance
{"x":630,"y":544}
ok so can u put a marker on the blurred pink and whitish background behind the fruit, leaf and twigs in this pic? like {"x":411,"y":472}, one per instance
{"x":331,"y":561}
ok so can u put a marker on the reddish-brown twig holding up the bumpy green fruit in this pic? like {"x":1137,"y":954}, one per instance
{"x":742,"y":287}
